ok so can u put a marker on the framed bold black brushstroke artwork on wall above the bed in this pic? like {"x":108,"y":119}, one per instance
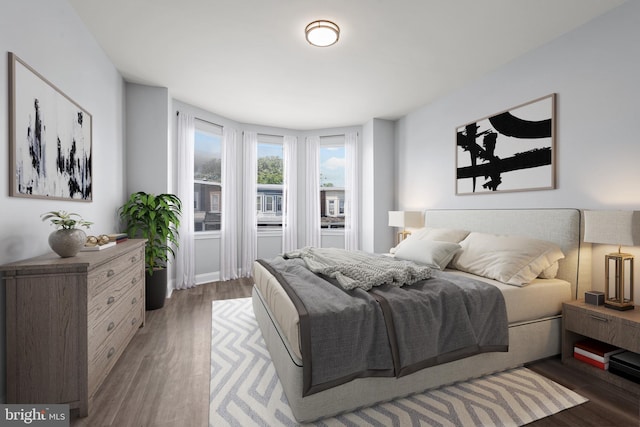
{"x":509,"y":151}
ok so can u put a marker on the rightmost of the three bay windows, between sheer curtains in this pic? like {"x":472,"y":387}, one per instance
{"x":332,"y":175}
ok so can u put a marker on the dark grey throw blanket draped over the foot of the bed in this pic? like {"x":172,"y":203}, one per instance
{"x":390,"y":330}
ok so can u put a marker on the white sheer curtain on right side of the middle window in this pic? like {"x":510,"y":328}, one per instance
{"x":290,"y":190}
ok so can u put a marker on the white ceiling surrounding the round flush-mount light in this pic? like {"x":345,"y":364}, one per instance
{"x":248,"y":60}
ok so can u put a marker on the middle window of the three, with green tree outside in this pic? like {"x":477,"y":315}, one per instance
{"x":270,"y":175}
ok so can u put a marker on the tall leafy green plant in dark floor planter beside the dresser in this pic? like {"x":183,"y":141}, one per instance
{"x":155,"y":218}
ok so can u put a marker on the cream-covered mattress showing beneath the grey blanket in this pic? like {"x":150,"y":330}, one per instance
{"x":542,"y":298}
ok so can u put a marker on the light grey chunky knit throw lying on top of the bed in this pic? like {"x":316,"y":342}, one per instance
{"x":356,"y":269}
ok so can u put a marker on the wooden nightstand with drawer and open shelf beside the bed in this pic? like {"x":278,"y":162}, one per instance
{"x":619,"y":328}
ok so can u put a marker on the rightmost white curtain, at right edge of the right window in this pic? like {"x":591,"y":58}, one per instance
{"x":352,"y":187}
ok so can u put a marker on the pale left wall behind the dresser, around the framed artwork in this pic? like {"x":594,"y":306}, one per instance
{"x":49,"y":36}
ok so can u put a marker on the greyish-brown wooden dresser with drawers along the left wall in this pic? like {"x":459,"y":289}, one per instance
{"x":69,"y":320}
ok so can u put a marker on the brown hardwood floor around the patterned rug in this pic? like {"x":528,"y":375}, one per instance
{"x":162,"y":379}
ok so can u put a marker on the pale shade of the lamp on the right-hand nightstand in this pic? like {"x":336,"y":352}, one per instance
{"x":612,"y":227}
